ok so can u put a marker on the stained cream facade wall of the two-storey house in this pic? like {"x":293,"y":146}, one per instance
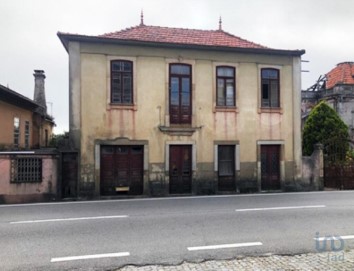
{"x":95,"y":122}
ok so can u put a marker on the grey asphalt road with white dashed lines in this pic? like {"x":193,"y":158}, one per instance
{"x":104,"y":235}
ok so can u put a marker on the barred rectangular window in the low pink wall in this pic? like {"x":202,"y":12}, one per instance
{"x":26,"y":170}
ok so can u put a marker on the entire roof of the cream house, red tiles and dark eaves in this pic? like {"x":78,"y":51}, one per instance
{"x":177,"y":37}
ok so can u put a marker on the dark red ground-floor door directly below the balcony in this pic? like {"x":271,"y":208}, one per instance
{"x":180,"y":169}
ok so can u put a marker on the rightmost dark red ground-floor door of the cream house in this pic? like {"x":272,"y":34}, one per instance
{"x":270,"y":167}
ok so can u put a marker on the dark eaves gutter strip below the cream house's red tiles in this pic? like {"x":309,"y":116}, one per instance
{"x":66,"y":38}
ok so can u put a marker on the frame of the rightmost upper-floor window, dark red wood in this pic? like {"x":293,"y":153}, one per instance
{"x":269,"y":82}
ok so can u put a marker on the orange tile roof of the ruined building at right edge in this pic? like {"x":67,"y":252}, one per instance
{"x":342,"y":74}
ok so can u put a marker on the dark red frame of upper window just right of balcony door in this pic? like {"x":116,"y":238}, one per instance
{"x":225,"y":78}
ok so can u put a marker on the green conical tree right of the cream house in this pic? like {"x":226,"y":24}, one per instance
{"x":325,"y":126}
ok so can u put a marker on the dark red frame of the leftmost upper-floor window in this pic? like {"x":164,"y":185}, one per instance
{"x":121,"y":74}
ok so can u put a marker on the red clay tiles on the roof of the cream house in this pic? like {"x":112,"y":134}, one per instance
{"x":158,"y":34}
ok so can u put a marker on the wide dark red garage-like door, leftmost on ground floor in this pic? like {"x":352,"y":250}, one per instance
{"x":122,"y":170}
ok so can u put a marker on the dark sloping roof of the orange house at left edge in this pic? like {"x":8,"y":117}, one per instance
{"x":14,"y":98}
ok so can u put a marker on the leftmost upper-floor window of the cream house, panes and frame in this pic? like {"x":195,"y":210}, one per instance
{"x":122,"y":82}
